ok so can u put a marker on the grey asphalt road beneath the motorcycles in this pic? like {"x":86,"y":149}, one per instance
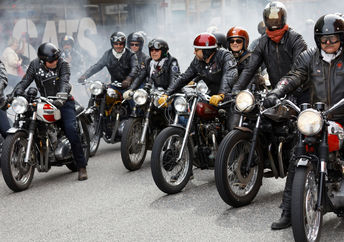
{"x":117,"y":205}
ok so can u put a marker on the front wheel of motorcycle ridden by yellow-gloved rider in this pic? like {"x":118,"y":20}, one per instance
{"x":163,"y":162}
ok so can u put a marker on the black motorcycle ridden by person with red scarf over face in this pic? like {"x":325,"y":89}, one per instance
{"x":264,"y":139}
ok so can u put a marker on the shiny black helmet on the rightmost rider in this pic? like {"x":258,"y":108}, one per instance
{"x":327,"y":25}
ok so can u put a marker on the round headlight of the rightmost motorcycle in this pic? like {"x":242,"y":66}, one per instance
{"x":310,"y":122}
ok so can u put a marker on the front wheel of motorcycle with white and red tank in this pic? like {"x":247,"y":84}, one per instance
{"x":18,"y":176}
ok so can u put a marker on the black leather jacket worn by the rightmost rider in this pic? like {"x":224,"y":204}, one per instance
{"x":325,"y":81}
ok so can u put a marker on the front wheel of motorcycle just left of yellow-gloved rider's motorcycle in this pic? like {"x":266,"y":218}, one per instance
{"x":133,"y":154}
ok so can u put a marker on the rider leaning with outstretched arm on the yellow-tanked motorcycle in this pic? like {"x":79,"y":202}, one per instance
{"x":121,"y":62}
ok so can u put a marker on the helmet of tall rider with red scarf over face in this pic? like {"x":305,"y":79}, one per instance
{"x":275,"y":15}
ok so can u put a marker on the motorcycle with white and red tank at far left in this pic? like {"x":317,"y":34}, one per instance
{"x":37,"y":140}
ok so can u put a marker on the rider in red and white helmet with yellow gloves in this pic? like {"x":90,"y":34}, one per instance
{"x":217,"y":67}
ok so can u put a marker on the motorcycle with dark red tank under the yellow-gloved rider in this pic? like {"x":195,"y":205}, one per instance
{"x":177,"y":148}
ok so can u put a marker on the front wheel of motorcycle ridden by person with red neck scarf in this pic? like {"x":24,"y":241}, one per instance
{"x":235,"y":188}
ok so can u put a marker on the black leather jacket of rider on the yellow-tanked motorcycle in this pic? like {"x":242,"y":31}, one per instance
{"x":120,"y":69}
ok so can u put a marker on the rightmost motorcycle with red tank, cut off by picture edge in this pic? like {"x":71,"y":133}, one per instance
{"x":318,"y":185}
